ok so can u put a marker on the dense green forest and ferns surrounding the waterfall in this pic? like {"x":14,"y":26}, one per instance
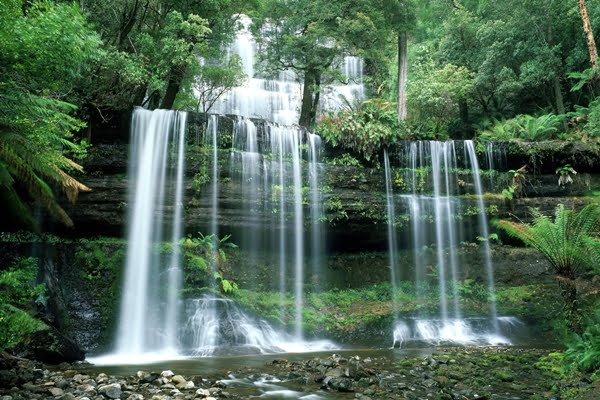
{"x":514,"y":70}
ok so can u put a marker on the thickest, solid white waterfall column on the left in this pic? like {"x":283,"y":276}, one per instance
{"x":148,"y":321}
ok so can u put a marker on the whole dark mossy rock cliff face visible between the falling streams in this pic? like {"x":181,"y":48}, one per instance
{"x":353,"y":221}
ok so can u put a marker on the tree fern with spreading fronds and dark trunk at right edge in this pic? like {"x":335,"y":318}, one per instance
{"x":569,"y":243}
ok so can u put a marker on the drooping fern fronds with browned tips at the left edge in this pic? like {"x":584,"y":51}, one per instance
{"x":35,"y":138}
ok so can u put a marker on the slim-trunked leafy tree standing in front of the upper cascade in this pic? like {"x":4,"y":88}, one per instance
{"x":311,"y":37}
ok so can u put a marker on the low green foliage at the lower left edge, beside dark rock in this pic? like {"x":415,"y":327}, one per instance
{"x":17,"y":294}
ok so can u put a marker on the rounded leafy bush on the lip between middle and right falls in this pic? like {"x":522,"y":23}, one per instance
{"x":365,"y":131}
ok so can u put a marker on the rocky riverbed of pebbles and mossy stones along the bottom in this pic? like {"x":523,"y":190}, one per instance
{"x":448,"y":373}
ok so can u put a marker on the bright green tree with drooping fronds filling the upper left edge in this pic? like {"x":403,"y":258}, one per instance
{"x":36,"y":123}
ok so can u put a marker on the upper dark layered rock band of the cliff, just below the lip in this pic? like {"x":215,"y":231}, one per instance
{"x":353,"y":198}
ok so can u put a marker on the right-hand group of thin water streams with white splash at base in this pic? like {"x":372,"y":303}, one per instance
{"x":430,"y":175}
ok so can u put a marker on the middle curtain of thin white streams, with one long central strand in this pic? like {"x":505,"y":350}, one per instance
{"x":269,"y":164}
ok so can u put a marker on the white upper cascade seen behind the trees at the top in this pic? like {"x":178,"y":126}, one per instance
{"x":278,"y":100}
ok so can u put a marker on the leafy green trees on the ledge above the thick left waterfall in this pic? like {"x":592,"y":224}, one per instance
{"x":151,"y":48}
